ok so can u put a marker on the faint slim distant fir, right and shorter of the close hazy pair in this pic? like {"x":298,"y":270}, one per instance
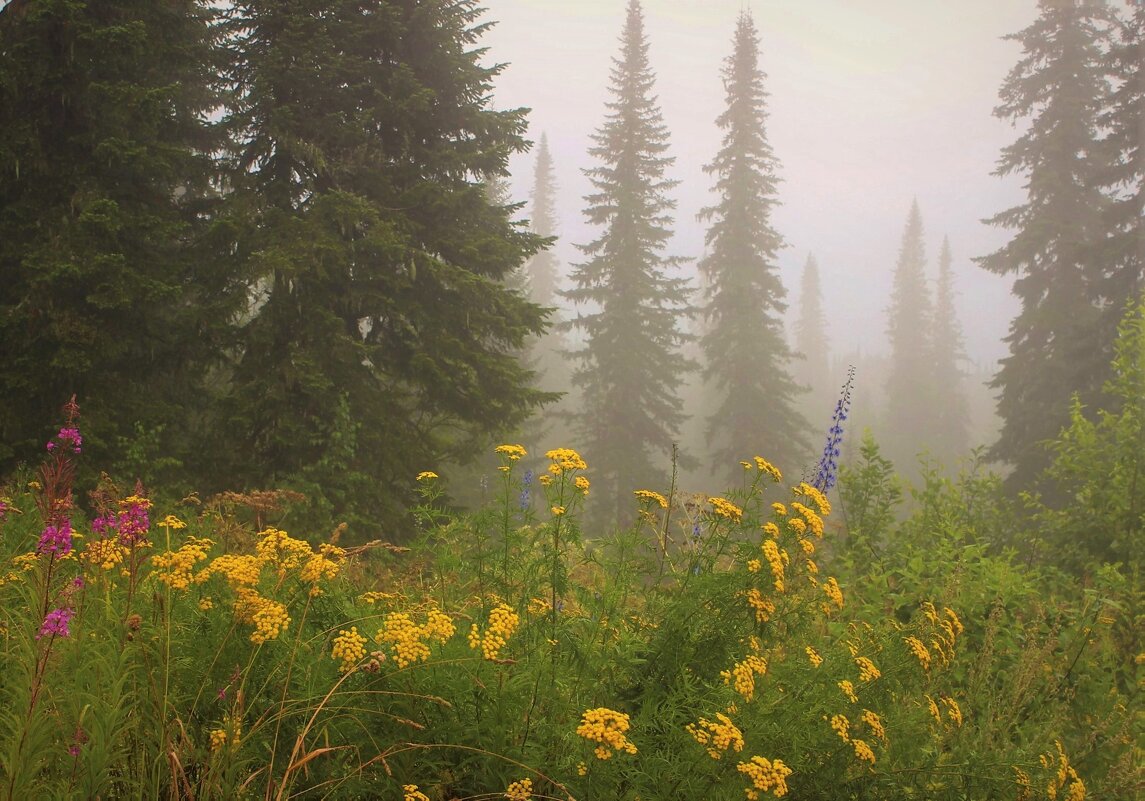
{"x":950,"y":413}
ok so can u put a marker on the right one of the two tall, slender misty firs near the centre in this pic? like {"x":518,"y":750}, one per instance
{"x":747,"y":356}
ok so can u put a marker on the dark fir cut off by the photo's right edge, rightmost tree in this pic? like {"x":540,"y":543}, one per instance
{"x":1125,"y":121}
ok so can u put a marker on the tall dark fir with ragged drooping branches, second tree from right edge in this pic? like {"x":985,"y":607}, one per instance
{"x":1060,"y":343}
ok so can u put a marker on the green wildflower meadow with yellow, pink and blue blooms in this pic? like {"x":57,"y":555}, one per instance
{"x":747,"y":645}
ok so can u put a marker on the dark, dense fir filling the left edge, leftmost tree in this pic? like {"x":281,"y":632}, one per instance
{"x":113,"y":285}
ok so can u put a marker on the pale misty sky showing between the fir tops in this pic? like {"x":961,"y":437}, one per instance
{"x":872,"y":104}
